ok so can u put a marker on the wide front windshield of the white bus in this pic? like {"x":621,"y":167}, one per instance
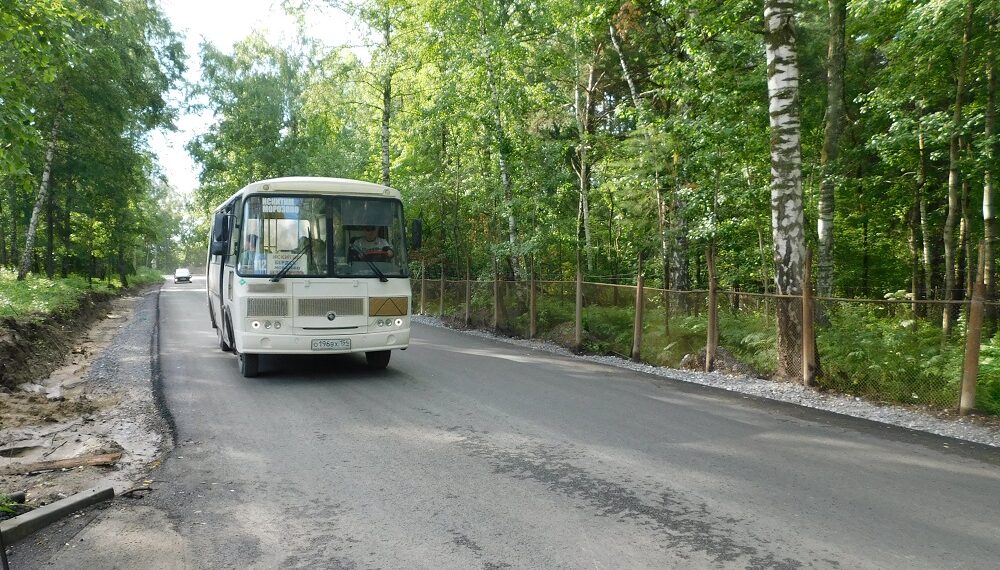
{"x":322,"y":236}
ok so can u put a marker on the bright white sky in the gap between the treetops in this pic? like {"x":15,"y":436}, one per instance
{"x":225,"y":22}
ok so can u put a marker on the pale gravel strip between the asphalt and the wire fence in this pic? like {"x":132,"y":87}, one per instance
{"x":973,"y":428}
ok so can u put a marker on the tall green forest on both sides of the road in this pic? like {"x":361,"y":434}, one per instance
{"x":536,"y":136}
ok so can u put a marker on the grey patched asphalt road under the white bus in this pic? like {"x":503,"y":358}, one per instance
{"x":471,"y":453}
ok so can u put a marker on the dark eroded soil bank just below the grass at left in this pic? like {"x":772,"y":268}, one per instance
{"x":32,"y":348}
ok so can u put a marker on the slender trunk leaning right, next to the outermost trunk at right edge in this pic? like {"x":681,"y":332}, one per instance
{"x":954,"y":206}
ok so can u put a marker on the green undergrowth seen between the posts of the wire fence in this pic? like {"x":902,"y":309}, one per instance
{"x":868,"y":350}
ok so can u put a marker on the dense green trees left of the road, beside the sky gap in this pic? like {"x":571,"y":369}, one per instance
{"x":88,"y":81}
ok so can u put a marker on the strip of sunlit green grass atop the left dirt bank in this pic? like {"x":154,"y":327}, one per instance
{"x":37,"y":296}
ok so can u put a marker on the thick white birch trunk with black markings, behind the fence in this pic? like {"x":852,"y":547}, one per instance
{"x":786,"y":179}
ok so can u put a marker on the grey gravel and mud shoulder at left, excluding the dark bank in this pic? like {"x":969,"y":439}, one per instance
{"x":101,"y":401}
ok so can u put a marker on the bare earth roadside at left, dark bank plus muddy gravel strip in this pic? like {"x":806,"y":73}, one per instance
{"x":57,"y":416}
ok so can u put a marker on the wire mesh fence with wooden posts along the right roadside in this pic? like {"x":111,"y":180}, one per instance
{"x":882,"y":350}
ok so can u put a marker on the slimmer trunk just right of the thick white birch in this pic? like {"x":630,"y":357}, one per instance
{"x":836,"y":60}
